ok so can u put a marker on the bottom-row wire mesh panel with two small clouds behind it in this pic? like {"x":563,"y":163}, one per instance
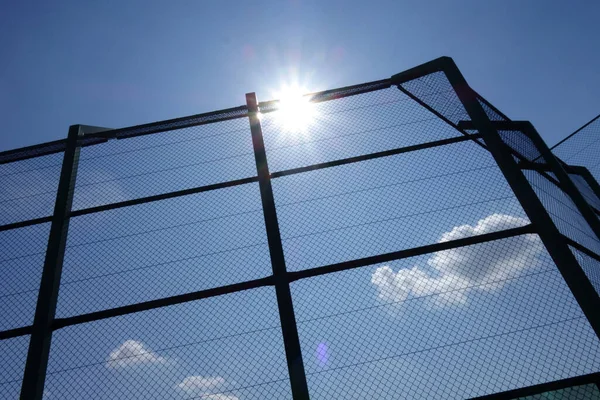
{"x":222,"y":348}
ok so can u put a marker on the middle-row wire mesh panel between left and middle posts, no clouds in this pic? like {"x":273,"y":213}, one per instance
{"x":164,"y":248}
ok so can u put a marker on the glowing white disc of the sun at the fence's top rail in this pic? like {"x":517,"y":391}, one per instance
{"x":295,"y":113}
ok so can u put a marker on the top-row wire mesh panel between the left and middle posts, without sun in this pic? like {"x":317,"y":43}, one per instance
{"x":164,"y":162}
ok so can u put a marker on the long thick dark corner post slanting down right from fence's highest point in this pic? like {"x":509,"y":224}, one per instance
{"x":580,"y":286}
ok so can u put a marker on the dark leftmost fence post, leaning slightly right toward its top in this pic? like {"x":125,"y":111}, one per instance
{"x":41,"y":337}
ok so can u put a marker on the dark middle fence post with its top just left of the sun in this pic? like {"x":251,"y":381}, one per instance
{"x":289,"y":329}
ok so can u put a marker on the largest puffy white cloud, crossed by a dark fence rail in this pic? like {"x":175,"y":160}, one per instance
{"x":484,"y":266}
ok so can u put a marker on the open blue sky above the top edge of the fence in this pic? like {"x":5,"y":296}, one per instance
{"x":118,"y":63}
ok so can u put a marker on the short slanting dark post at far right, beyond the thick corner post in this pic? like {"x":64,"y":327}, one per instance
{"x":567,"y":184}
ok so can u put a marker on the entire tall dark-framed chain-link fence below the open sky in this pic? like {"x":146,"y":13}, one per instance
{"x":395,"y":239}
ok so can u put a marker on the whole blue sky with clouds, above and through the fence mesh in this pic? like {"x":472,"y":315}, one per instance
{"x":461,"y":323}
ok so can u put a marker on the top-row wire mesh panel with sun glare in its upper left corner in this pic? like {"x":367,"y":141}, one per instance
{"x":362,"y":124}
